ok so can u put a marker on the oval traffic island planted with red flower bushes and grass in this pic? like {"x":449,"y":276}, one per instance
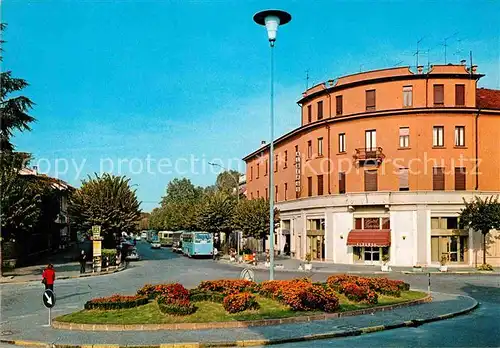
{"x":240,"y":303}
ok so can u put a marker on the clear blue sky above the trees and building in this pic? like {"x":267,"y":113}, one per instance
{"x":187,"y":82}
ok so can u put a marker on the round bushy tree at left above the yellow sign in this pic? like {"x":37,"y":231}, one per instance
{"x":108,"y":201}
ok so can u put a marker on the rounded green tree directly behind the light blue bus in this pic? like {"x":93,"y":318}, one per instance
{"x":216,"y":214}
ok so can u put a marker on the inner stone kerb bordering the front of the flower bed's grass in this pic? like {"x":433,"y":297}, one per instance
{"x":232,"y":324}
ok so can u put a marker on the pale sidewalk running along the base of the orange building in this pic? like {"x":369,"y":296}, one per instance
{"x":292,"y":265}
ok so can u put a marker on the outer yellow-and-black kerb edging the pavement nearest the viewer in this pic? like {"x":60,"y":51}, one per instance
{"x":263,"y":342}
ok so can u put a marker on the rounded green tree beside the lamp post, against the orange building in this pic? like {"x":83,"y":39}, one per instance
{"x":252,"y":217}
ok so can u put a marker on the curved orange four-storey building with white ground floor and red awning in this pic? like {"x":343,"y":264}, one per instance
{"x":380,"y":166}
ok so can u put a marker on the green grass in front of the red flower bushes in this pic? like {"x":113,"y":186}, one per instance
{"x":214,"y":312}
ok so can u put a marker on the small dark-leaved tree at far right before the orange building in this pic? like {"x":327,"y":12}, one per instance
{"x":481,"y":216}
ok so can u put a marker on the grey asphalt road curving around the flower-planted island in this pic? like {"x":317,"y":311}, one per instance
{"x":22,"y":308}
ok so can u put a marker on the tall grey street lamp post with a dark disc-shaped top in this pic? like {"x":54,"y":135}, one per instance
{"x":272,"y":19}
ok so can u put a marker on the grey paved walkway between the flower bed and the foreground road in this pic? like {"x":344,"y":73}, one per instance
{"x":442,"y":307}
